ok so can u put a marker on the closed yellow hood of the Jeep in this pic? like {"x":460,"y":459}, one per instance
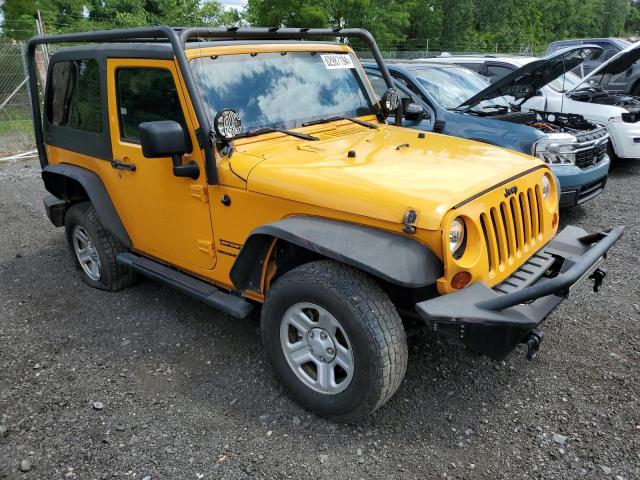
{"x":391,"y":170}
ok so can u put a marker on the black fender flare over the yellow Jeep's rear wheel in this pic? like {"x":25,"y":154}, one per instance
{"x":55,"y":178}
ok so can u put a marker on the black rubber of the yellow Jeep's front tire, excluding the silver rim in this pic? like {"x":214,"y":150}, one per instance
{"x":370,"y":321}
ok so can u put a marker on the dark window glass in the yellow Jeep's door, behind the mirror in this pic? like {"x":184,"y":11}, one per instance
{"x":146,"y":95}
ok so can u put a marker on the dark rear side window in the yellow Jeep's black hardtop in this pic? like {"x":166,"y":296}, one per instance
{"x":74,"y":99}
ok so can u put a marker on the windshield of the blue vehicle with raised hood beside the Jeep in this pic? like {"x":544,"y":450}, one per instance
{"x":452,"y":86}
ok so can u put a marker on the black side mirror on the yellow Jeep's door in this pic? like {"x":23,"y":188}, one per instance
{"x":166,"y":138}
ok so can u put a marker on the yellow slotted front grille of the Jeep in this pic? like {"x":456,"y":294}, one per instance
{"x":512,"y":226}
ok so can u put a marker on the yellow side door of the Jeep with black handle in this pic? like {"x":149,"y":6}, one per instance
{"x":167,"y":217}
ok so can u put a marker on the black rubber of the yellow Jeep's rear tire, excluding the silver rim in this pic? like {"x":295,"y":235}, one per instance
{"x":113,"y":276}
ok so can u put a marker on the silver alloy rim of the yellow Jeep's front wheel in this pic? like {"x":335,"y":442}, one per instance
{"x":317,"y":348}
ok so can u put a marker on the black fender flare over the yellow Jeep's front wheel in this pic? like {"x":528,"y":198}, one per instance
{"x":395,"y":258}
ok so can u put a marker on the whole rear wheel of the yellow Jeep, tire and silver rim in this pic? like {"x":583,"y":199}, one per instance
{"x":94,"y":249}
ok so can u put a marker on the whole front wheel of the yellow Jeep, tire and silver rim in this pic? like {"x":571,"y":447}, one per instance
{"x":335,"y":339}
